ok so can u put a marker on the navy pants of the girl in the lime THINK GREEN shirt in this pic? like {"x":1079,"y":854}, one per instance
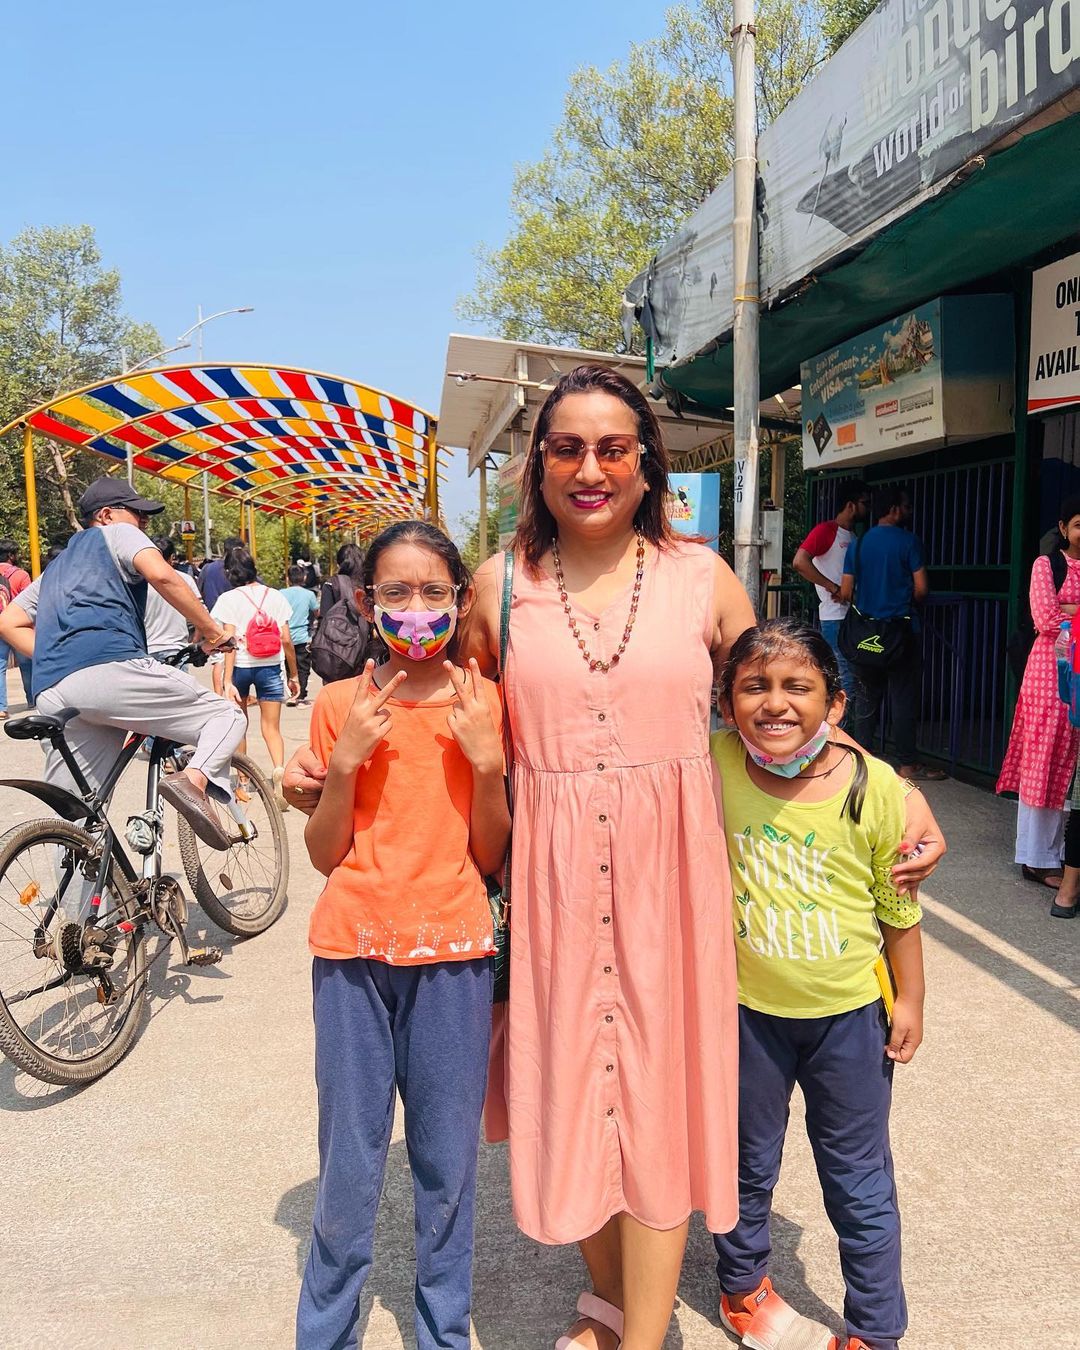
{"x":847,"y":1082}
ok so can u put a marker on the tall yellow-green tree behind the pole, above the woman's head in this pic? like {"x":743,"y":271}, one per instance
{"x":641,"y":146}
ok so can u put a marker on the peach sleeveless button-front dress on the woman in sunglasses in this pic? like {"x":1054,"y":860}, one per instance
{"x":622,"y":1036}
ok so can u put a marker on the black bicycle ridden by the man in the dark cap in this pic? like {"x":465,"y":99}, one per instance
{"x":75,"y":909}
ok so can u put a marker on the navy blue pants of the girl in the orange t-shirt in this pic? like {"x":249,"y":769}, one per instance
{"x":423,"y":1029}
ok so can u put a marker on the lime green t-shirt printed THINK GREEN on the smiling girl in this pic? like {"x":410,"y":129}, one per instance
{"x":809,"y":889}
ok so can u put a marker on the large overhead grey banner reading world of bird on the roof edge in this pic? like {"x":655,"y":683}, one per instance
{"x":920,"y":90}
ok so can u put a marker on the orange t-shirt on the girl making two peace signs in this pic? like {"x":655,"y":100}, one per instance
{"x":408,"y":892}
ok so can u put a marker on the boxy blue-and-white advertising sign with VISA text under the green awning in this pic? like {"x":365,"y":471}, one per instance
{"x":939,"y":373}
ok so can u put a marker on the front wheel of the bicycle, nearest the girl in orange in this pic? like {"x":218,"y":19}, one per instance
{"x":242,"y":889}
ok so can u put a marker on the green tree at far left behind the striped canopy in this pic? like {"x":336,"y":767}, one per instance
{"x":61,"y":326}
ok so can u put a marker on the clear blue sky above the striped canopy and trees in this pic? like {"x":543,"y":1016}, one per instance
{"x":335,"y":165}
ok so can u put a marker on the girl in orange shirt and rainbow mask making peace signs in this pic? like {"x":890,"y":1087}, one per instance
{"x":412,"y":817}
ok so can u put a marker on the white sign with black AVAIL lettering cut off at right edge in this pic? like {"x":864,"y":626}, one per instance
{"x":1054,"y":376}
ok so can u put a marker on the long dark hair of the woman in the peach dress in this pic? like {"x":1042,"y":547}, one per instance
{"x":535,"y":523}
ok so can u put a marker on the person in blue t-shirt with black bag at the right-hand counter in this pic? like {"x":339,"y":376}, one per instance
{"x":885,"y":574}
